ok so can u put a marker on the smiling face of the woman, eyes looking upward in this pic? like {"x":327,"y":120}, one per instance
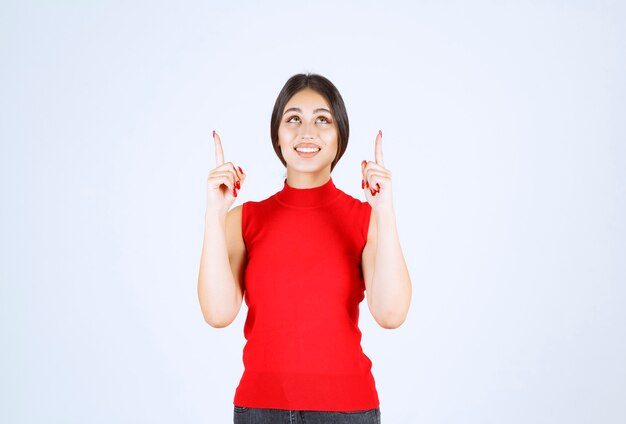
{"x":307,"y":134}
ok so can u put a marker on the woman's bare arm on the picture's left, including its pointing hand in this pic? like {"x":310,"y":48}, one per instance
{"x":222,"y":263}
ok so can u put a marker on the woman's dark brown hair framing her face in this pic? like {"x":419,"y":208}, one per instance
{"x":327,"y":90}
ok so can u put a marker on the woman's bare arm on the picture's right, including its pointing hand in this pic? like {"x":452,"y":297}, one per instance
{"x":387,"y":280}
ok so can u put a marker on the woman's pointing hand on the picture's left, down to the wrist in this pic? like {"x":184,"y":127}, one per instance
{"x":223,"y":182}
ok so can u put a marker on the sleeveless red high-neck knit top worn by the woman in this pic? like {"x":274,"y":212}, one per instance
{"x":303,"y":285}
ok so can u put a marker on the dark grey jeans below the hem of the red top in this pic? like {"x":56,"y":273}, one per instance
{"x":280,"y":416}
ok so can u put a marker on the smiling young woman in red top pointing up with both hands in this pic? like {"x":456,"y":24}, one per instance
{"x":303,"y":259}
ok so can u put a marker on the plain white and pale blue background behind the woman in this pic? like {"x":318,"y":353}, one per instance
{"x":503,"y":125}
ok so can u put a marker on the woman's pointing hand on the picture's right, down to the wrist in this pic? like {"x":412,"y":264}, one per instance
{"x":377,"y":179}
